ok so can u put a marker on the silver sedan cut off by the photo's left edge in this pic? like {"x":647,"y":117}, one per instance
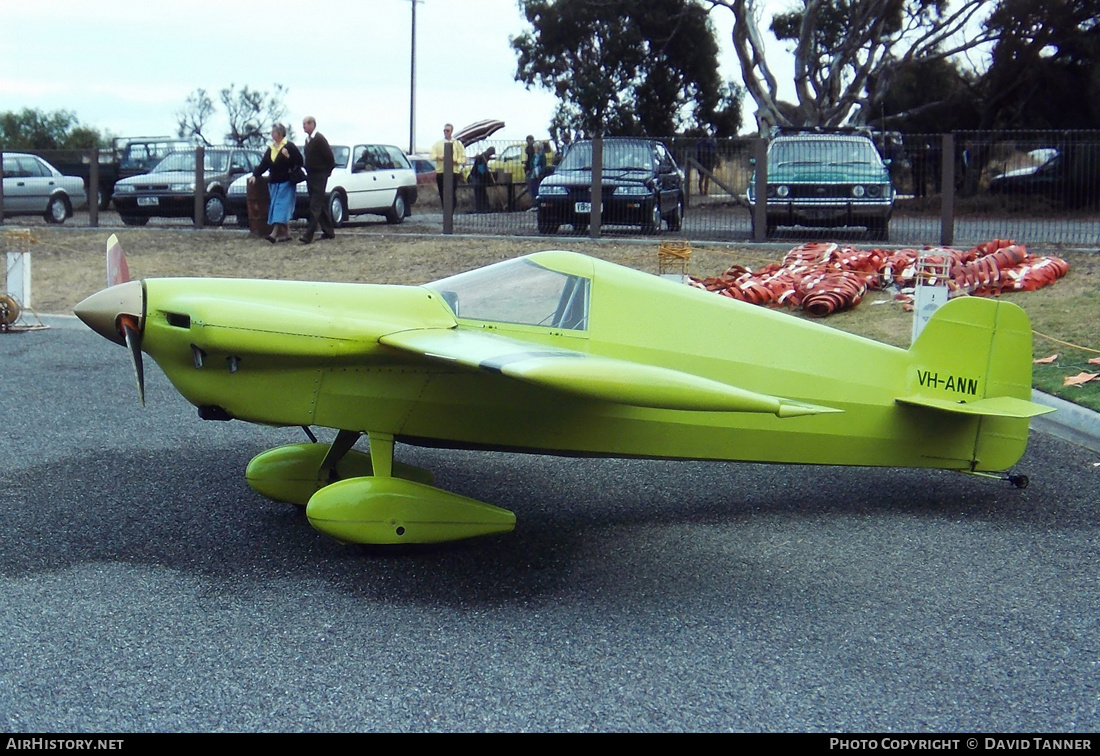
{"x":34,"y":188}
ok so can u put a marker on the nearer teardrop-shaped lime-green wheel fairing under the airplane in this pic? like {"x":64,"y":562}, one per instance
{"x":390,"y":511}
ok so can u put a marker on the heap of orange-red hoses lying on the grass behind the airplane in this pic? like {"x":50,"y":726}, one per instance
{"x":824,"y":278}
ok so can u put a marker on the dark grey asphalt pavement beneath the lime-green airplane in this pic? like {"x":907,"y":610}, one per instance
{"x":146,"y":588}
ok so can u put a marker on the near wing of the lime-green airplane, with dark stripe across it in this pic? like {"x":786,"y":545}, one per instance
{"x":592,"y":377}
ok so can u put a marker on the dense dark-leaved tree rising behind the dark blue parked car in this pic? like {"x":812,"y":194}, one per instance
{"x":628,"y":69}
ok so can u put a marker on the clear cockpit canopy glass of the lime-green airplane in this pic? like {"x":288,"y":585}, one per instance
{"x":519,"y":291}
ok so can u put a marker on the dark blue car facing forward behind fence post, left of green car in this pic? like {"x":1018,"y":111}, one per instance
{"x":642,"y":185}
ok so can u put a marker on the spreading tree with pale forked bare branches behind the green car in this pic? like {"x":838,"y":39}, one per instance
{"x":848,"y":52}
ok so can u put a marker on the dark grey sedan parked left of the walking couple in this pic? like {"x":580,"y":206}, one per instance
{"x":169,"y":190}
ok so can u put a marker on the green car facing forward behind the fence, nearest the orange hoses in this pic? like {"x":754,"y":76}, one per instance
{"x":828,"y":181}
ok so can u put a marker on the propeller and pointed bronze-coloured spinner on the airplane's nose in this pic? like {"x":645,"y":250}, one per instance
{"x":117,"y":313}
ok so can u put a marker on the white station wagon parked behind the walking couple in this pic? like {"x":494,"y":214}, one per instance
{"x":369,"y":179}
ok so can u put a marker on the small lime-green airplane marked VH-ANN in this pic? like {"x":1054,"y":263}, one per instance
{"x":559,"y":354}
